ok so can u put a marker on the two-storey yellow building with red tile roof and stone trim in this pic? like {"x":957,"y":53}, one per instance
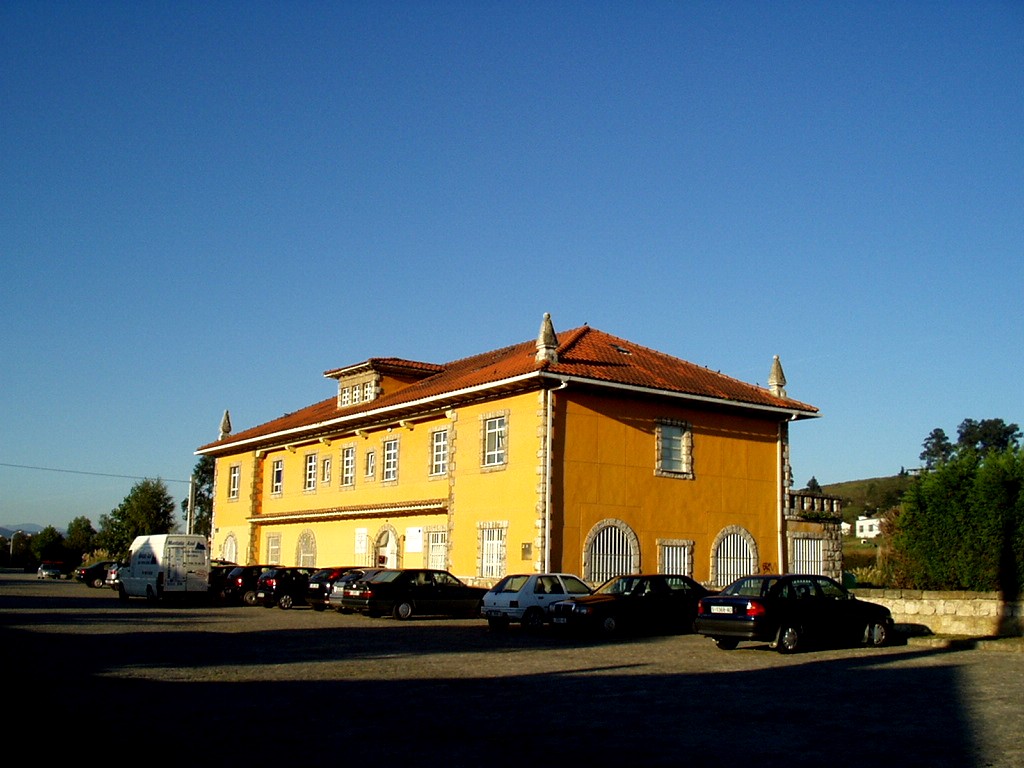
{"x":581,"y":453}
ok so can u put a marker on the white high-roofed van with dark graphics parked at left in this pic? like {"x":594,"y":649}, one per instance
{"x":166,"y":565}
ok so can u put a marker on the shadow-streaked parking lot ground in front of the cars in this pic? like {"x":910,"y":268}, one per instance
{"x":251,"y":686}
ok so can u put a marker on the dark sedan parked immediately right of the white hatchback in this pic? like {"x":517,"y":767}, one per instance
{"x":655,"y":603}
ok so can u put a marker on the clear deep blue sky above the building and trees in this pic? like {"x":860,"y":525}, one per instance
{"x":204,"y":206}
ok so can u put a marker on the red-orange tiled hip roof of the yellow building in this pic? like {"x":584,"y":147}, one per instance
{"x":585,"y":355}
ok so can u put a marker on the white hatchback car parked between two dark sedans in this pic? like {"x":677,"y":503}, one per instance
{"x":528,"y":599}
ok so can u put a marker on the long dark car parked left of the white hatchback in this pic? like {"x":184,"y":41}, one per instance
{"x":408,"y":592}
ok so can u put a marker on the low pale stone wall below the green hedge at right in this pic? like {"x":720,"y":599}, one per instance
{"x":971,"y":614}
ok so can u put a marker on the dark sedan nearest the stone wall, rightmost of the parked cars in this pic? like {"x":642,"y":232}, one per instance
{"x":791,"y":612}
